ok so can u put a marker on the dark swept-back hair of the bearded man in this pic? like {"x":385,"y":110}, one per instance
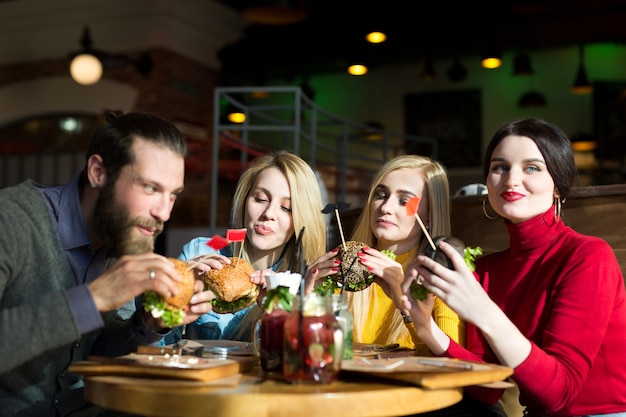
{"x":113,"y":141}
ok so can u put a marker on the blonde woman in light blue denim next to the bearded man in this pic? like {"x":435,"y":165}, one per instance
{"x":275,"y":198}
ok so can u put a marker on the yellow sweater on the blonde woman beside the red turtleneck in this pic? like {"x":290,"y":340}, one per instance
{"x":382,"y":323}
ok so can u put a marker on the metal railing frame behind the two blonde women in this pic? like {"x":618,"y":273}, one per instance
{"x":287,"y":118}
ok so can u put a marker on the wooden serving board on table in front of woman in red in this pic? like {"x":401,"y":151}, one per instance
{"x":447,"y":373}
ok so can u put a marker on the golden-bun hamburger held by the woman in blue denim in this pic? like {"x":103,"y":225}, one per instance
{"x":231,"y":285}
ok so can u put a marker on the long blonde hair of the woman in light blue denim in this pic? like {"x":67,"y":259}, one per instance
{"x":306,"y":204}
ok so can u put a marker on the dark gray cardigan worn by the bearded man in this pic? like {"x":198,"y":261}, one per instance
{"x":38,"y":335}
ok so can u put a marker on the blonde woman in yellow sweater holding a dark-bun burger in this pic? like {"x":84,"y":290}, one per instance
{"x":385,"y":225}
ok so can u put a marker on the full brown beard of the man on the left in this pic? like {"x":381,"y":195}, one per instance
{"x":117,"y":228}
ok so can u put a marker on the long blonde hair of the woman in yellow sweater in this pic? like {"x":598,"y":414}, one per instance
{"x":436,"y":185}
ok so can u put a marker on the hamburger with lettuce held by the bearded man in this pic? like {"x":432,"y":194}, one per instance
{"x":171,"y":310}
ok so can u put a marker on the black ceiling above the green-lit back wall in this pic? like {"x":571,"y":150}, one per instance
{"x":332,"y":34}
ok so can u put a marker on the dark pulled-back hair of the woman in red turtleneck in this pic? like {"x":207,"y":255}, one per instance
{"x":553,"y":143}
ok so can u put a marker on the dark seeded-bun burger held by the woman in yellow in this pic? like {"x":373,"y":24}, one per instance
{"x":357,"y":277}
